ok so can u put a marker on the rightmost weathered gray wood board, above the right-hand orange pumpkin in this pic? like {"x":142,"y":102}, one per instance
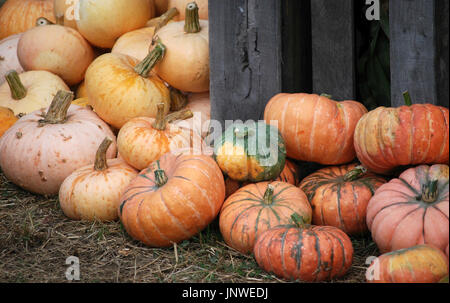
{"x":419,"y":51}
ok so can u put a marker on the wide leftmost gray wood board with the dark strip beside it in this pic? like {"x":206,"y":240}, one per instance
{"x":248,"y":62}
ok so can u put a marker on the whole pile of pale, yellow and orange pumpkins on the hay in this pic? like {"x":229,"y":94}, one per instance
{"x":127,"y":147}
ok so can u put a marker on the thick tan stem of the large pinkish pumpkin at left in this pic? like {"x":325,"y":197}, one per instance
{"x":57,"y":112}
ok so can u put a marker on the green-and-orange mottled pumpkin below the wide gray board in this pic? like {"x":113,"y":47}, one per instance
{"x":252,"y":152}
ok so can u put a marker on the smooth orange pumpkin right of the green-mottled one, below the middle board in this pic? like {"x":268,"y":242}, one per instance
{"x":315,"y":128}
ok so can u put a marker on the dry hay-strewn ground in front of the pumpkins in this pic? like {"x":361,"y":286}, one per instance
{"x":36,"y":238}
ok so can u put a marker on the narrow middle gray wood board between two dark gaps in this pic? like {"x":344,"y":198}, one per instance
{"x":333,"y":48}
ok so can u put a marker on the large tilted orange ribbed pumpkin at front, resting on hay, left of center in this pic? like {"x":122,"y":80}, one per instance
{"x":173,"y":199}
